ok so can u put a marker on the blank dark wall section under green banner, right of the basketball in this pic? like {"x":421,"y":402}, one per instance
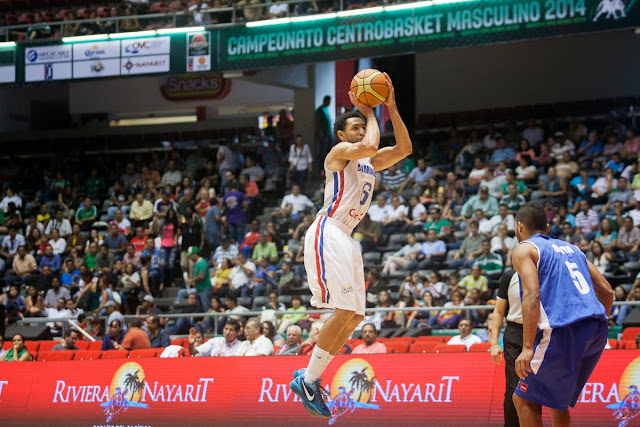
{"x":532,"y":72}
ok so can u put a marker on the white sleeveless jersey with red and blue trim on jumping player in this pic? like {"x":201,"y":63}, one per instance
{"x":348,"y":193}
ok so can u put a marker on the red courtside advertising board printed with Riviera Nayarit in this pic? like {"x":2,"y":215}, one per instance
{"x":401,"y":389}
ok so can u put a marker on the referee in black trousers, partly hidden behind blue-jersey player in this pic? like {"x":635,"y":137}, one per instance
{"x":508,"y":302}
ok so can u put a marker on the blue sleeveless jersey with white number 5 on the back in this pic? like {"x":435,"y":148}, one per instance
{"x":566,"y":289}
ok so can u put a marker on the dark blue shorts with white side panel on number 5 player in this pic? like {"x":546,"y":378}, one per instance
{"x":563,"y":361}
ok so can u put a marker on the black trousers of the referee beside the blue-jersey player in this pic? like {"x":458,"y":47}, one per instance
{"x":512,"y":349}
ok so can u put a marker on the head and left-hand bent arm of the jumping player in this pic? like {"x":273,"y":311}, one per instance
{"x":358,"y":138}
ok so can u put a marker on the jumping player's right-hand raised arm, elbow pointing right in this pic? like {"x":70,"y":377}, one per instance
{"x":388,"y":156}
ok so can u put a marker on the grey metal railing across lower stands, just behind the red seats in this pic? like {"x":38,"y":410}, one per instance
{"x":66,"y":322}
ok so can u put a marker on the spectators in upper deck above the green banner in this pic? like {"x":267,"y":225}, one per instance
{"x":130,"y":15}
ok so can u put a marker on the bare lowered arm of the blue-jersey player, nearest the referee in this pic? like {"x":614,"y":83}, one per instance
{"x":524,"y":259}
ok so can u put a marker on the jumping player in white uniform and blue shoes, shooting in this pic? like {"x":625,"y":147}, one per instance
{"x":331,"y":257}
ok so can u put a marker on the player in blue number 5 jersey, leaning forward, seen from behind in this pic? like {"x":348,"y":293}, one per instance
{"x":565,"y":301}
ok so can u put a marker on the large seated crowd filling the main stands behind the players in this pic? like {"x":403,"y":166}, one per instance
{"x":214,"y":231}
